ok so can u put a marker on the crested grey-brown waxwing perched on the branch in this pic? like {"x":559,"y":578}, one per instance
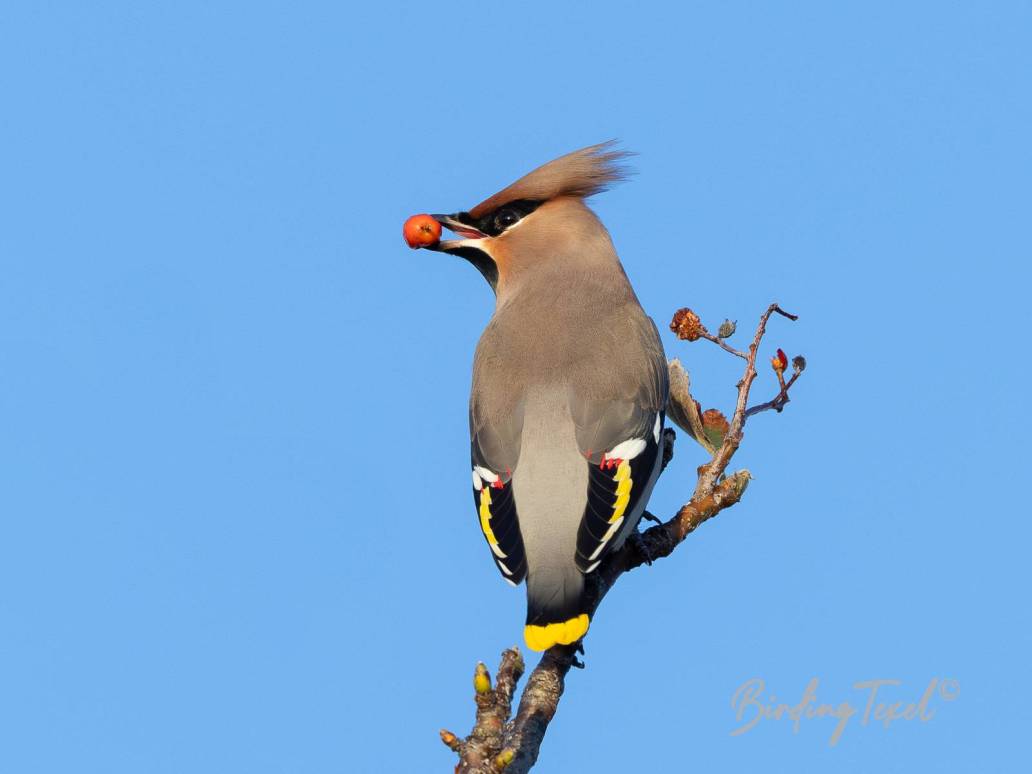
{"x":569,"y":391}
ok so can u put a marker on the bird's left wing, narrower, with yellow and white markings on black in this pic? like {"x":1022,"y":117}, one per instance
{"x":495,"y":450}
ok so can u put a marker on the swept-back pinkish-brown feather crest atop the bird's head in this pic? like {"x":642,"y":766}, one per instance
{"x":582,"y":174}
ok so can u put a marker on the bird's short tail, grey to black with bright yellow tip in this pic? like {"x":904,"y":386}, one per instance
{"x":557,"y":610}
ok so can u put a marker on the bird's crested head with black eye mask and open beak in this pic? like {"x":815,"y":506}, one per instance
{"x":538,"y":220}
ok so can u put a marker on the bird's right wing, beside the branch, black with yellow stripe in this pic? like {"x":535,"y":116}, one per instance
{"x":620,"y":437}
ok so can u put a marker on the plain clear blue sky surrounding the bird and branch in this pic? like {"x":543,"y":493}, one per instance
{"x":236,"y":529}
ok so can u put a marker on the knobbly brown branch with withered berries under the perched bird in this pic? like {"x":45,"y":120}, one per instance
{"x":500,"y":745}
